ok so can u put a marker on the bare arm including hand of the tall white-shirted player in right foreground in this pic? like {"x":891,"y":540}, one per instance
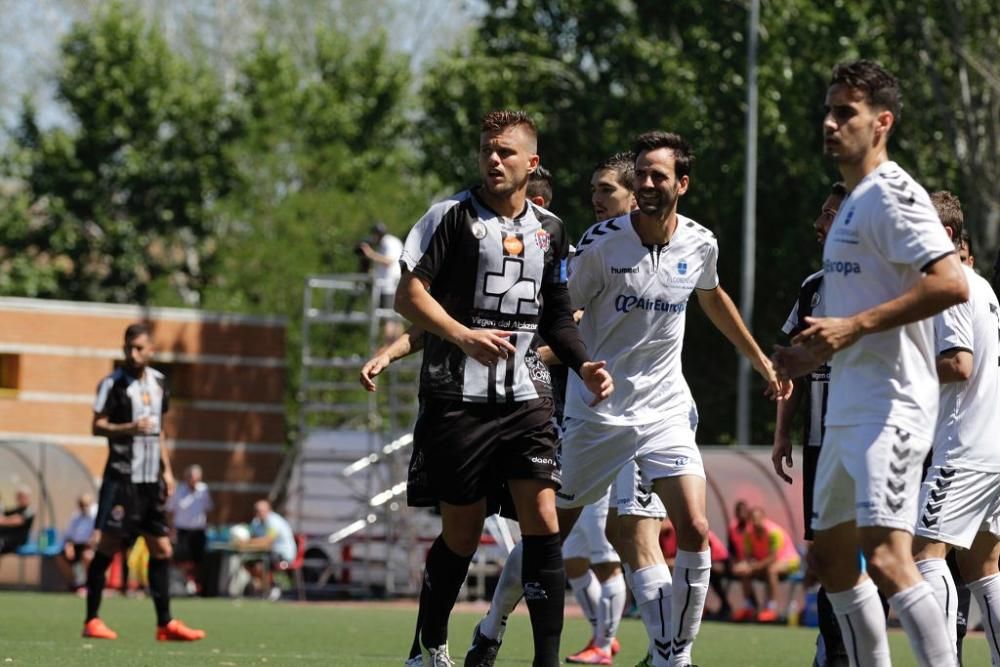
{"x":943,"y":286}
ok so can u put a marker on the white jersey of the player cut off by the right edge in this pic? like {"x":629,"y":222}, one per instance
{"x":969,"y":415}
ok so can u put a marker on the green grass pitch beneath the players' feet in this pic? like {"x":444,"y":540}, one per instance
{"x":44,"y":629}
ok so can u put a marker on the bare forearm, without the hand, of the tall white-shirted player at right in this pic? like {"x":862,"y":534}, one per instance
{"x":942,"y":288}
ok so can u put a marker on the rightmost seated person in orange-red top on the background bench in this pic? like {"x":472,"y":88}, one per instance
{"x":770,"y":555}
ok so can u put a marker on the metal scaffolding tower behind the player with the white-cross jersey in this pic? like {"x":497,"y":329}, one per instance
{"x":344,"y":485}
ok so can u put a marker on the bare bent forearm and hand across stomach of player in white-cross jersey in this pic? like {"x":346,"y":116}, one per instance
{"x":415,"y":303}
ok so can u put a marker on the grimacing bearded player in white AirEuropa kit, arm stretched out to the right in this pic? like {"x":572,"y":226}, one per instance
{"x":633,"y":276}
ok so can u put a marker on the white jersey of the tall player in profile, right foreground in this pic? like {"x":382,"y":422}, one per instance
{"x":885,"y":233}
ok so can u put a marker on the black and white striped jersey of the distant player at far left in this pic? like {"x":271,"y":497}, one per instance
{"x":124,"y":398}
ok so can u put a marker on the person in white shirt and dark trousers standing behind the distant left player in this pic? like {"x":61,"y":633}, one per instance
{"x":189,"y":507}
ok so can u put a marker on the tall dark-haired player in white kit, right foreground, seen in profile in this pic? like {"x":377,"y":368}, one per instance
{"x":888,"y":266}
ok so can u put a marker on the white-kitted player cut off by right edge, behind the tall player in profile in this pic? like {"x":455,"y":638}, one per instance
{"x":960,"y":498}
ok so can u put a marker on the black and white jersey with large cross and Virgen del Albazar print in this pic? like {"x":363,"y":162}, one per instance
{"x":488,"y":272}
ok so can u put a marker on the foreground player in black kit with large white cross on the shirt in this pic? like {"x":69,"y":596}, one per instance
{"x":477,"y":269}
